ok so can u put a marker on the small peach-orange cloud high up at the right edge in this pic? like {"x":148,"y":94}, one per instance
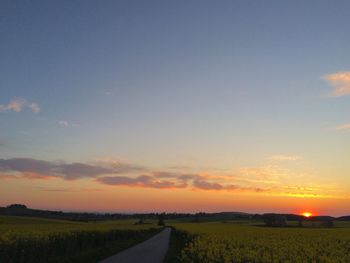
{"x":340,"y":82}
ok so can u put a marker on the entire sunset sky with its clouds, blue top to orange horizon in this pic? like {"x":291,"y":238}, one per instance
{"x":176,"y":106}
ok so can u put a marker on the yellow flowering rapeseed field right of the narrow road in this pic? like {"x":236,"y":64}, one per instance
{"x":219,"y":242}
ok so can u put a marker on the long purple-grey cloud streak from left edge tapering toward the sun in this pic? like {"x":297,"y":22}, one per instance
{"x":113,"y":172}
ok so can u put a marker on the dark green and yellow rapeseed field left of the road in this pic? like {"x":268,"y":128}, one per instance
{"x":26,"y":239}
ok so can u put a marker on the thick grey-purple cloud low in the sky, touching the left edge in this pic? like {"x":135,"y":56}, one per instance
{"x":38,"y":169}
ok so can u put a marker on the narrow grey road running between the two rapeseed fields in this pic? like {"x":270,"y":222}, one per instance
{"x":152,"y":250}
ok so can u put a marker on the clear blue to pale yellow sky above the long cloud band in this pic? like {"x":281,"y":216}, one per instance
{"x":223,"y":84}
